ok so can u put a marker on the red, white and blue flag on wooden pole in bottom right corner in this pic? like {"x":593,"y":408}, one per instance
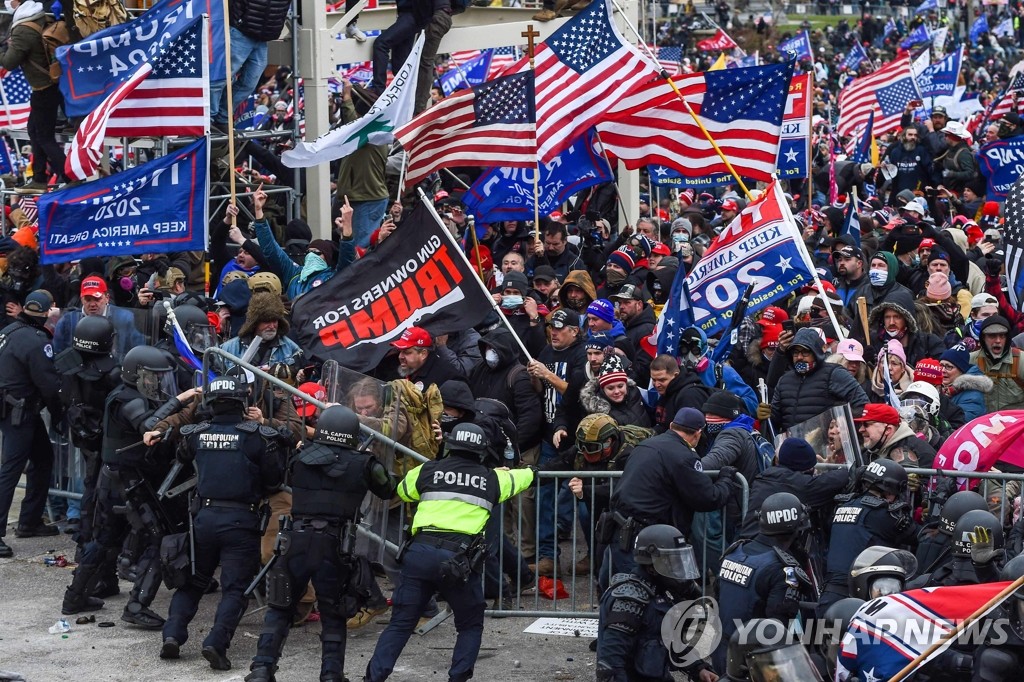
{"x":888,"y":633}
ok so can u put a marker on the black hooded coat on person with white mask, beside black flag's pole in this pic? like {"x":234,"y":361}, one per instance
{"x":510,"y":383}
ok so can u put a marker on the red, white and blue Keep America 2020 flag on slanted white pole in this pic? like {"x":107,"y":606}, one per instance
{"x":760,"y":246}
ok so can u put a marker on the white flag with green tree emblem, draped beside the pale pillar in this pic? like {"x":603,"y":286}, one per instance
{"x":393,"y":110}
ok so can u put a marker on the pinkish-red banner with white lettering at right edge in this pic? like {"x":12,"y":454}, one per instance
{"x":980,"y":444}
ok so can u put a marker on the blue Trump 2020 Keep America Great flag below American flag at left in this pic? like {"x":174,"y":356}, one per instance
{"x":155,"y":208}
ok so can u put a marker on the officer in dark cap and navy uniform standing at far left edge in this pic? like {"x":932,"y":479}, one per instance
{"x":28,"y":383}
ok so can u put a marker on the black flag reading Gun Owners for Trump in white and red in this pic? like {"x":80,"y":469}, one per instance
{"x":415,"y":277}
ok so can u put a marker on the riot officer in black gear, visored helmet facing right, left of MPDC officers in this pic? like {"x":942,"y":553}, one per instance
{"x":132,"y":472}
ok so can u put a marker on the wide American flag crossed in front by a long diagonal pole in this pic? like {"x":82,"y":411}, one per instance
{"x":742,"y":109}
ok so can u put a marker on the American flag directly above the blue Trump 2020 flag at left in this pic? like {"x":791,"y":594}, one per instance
{"x":175,"y":100}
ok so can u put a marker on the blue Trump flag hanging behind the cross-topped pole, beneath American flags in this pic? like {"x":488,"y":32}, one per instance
{"x":507,"y":194}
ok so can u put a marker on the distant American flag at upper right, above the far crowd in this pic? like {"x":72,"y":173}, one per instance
{"x":886,"y":93}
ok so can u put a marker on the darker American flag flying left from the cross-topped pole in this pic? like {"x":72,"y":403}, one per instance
{"x":493,"y":124}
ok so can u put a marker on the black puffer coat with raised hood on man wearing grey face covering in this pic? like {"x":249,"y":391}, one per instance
{"x":799,"y":398}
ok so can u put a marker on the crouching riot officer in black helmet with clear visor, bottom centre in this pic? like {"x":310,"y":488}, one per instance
{"x":629,"y":633}
